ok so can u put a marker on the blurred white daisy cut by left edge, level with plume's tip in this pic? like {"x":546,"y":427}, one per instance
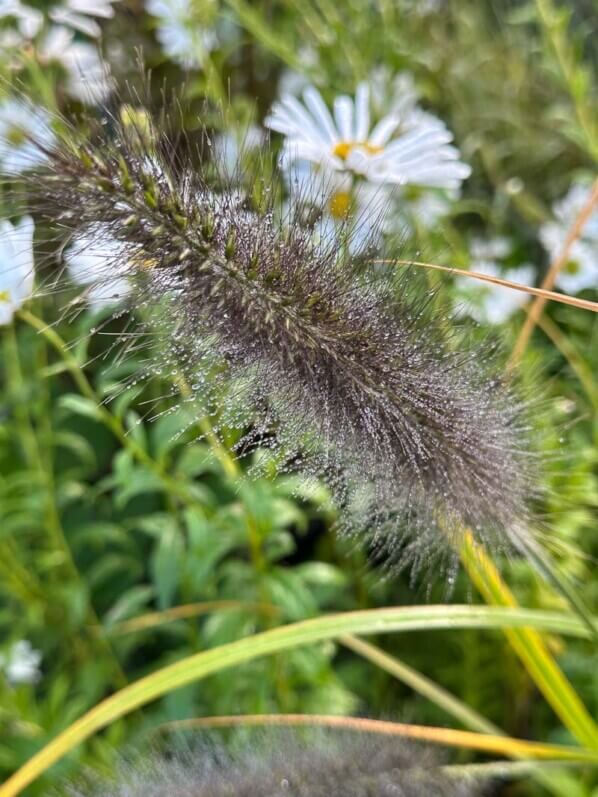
{"x":21,"y":126}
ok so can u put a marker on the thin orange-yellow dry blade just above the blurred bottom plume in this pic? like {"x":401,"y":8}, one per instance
{"x":431,"y":734}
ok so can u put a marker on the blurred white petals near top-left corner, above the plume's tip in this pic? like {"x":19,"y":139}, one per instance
{"x":87,"y":73}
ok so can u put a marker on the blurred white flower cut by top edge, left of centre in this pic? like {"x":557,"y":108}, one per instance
{"x":182,"y":37}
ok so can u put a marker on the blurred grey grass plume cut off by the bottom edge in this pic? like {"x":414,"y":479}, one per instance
{"x":347,"y":766}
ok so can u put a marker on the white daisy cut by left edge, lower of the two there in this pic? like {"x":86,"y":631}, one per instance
{"x":16,"y":266}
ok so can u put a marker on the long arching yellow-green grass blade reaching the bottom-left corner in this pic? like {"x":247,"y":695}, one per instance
{"x":200,"y":665}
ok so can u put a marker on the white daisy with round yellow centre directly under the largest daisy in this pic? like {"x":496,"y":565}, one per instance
{"x":349,"y":208}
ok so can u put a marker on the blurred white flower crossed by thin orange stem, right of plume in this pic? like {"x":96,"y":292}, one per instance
{"x":488,"y":303}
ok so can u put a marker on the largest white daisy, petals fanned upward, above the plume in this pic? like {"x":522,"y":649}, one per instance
{"x":403,"y":149}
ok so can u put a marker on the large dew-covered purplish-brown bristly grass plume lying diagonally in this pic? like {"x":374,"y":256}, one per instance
{"x":343,"y":364}
